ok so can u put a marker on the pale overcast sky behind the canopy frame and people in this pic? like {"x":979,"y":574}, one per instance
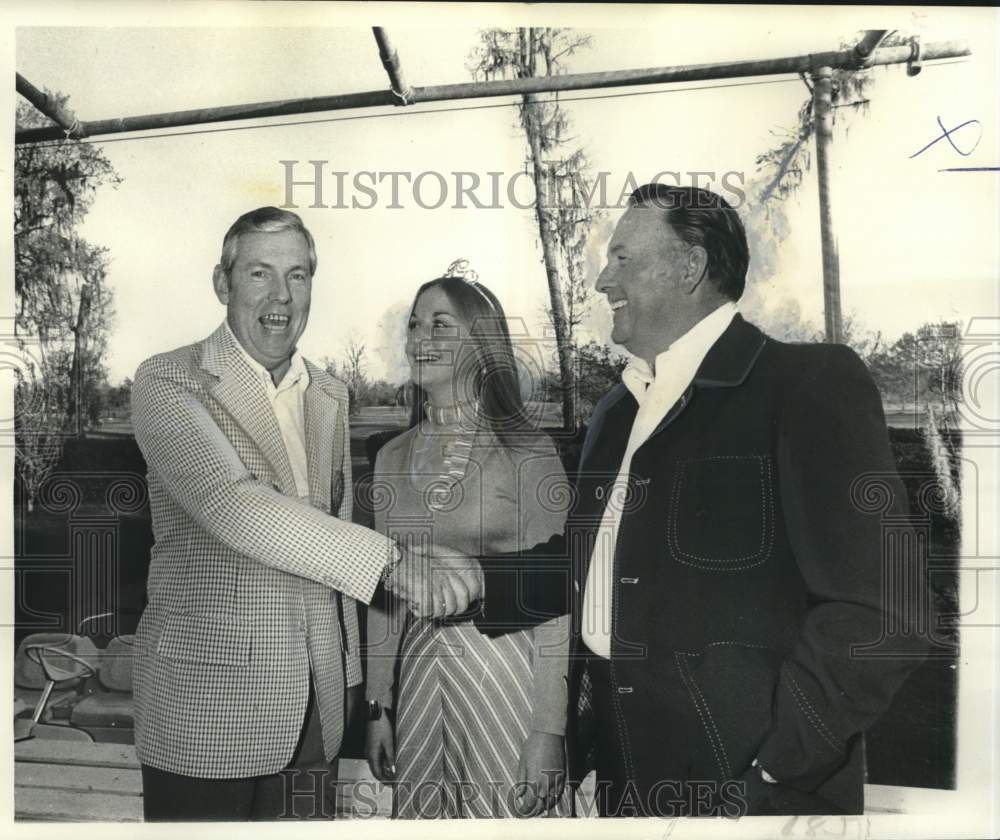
{"x":915,"y":244}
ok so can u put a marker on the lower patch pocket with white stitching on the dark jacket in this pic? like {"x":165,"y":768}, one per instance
{"x":731,"y":685}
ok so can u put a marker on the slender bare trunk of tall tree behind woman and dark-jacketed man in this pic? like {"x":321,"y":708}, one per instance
{"x":549,"y":254}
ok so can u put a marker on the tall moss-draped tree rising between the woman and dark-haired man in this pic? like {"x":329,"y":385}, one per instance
{"x":562,"y":209}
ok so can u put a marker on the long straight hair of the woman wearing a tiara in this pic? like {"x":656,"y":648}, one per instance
{"x":493,"y":375}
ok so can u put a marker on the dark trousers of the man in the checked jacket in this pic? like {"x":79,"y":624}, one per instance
{"x":306,"y":789}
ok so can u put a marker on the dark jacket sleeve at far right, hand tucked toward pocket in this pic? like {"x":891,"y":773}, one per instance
{"x":832,"y":435}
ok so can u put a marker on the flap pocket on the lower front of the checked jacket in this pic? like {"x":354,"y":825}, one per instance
{"x":205,"y":640}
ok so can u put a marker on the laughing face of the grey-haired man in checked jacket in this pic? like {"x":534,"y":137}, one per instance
{"x":267,"y":296}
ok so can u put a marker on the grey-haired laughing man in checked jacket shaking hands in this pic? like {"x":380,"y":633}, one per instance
{"x":248,"y":646}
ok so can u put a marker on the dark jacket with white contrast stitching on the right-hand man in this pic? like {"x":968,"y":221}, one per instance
{"x":749,"y":567}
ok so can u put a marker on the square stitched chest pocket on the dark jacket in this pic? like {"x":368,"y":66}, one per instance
{"x":721,"y":514}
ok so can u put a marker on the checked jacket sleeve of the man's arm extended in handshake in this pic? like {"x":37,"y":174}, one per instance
{"x":202,"y":473}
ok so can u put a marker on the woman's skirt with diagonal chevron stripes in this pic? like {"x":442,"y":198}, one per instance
{"x":463,"y":717}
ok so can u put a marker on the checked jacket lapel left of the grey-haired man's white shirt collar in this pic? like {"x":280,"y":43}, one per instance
{"x":240,"y":393}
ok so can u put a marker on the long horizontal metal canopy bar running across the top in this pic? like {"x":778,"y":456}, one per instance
{"x":844,"y":59}
